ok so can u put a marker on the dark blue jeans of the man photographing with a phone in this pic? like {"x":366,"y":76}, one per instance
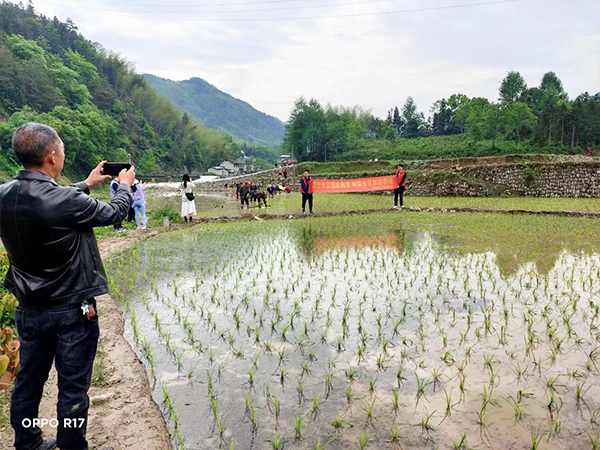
{"x":64,"y":335}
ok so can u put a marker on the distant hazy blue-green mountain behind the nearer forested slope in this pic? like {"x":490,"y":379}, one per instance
{"x":220,"y":111}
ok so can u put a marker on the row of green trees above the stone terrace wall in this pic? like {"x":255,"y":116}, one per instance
{"x":539,"y":119}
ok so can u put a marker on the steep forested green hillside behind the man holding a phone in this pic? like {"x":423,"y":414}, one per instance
{"x":100,"y":107}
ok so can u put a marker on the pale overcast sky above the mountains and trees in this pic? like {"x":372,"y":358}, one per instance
{"x":372,"y":53}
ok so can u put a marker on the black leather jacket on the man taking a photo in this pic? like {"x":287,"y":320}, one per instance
{"x":47,"y":231}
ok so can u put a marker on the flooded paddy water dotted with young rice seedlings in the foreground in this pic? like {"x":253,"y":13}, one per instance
{"x":331,"y":319}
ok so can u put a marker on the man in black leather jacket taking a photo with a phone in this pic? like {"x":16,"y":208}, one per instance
{"x":55,"y":272}
